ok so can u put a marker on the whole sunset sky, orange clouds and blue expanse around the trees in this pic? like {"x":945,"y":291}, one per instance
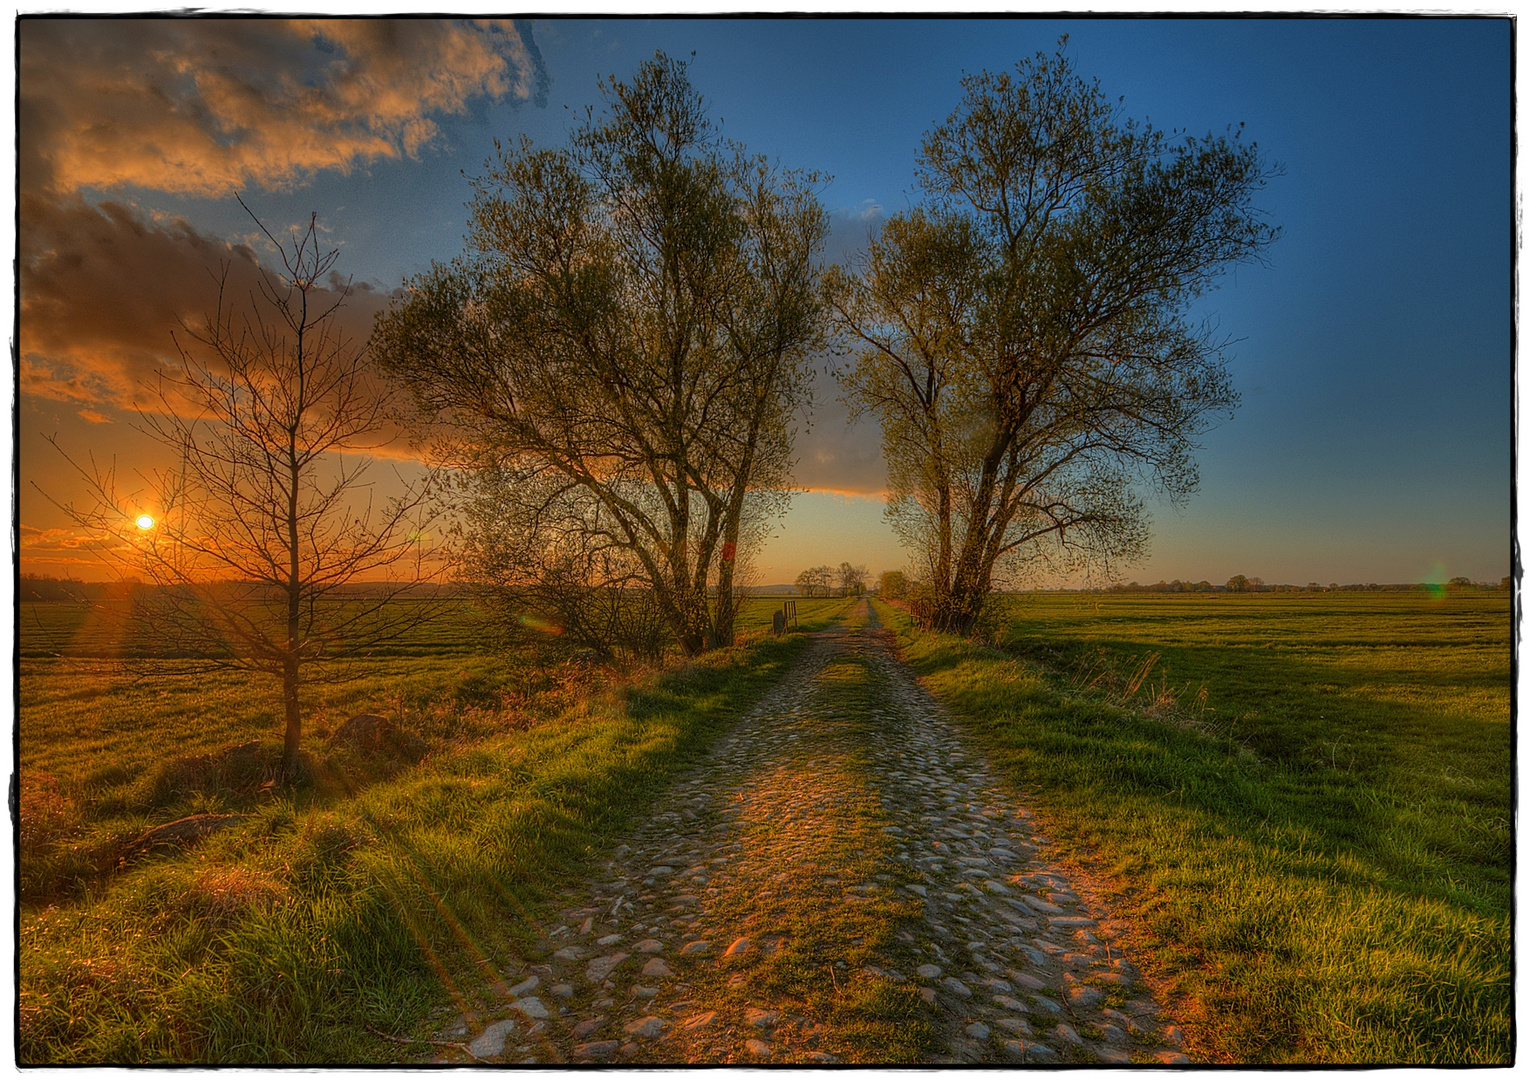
{"x":1373,"y":350}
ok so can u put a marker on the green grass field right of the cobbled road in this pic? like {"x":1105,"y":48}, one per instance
{"x":1320,"y":860}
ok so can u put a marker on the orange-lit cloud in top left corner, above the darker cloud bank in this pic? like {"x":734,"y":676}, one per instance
{"x":207,"y":106}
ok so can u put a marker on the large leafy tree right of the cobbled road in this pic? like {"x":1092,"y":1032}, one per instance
{"x":1023,"y":334}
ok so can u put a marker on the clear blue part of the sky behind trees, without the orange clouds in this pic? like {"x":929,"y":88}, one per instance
{"x":1373,"y":353}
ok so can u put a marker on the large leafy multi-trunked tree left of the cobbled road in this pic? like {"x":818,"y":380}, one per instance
{"x":628,"y":336}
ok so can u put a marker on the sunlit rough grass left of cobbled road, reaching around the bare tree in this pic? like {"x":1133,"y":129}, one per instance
{"x":342,"y":906}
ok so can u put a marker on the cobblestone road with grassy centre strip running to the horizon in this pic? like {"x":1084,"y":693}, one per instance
{"x":844,"y":880}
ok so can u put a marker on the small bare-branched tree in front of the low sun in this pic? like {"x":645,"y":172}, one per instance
{"x":250,"y":541}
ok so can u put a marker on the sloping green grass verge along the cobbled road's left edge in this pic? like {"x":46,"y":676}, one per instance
{"x":321,"y":917}
